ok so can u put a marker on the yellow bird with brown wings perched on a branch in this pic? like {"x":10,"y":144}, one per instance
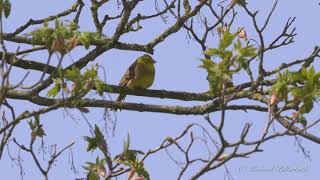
{"x":140,"y":75}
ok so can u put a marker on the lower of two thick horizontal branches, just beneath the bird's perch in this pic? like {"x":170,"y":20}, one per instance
{"x":179,"y":110}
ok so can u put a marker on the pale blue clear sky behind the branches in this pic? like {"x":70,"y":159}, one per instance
{"x":177,"y":70}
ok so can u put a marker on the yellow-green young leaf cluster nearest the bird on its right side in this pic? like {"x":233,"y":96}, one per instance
{"x":225,"y":61}
